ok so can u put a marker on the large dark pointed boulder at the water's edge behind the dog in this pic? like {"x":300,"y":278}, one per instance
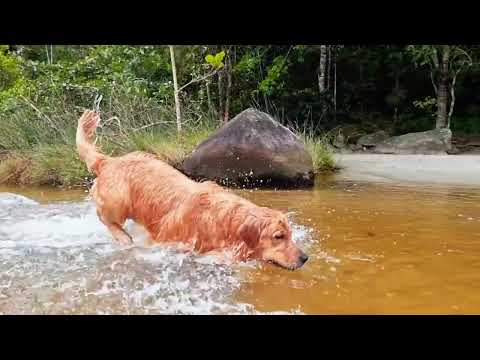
{"x":252,"y":150}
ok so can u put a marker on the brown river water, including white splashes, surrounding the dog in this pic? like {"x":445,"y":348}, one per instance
{"x":375,"y":248}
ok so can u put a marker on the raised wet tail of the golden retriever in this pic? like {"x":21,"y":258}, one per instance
{"x":85,"y":140}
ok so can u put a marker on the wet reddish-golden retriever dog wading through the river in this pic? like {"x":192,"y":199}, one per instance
{"x":174,"y":208}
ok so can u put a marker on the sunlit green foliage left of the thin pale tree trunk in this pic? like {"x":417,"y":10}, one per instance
{"x":143,"y":70}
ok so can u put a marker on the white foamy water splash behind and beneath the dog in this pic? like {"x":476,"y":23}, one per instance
{"x":59,"y":259}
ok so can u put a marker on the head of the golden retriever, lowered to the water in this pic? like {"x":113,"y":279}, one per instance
{"x":269,"y":237}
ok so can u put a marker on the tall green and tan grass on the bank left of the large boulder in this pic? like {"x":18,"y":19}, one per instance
{"x":40,"y":140}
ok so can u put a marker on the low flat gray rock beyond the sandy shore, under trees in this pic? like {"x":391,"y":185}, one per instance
{"x":430,"y":142}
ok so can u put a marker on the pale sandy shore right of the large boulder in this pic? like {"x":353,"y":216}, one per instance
{"x":432,"y":169}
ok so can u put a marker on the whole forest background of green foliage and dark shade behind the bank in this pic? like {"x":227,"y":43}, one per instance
{"x":370,"y":85}
